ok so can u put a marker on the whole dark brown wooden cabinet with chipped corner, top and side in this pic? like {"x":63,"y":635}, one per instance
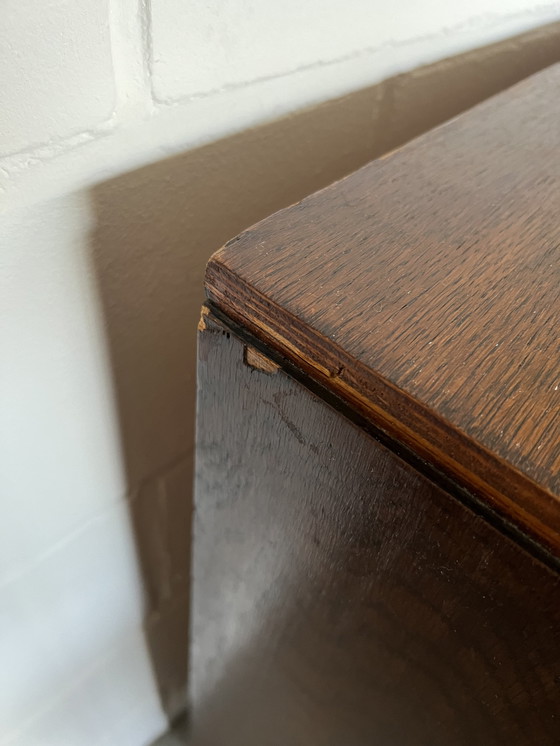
{"x":377,"y":528}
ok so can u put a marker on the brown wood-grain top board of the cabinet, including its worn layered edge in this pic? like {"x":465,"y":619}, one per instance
{"x":425,"y":290}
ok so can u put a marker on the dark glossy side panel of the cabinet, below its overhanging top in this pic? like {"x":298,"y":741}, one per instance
{"x":340,"y":597}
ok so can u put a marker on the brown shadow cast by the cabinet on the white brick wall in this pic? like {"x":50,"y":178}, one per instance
{"x":156,"y":228}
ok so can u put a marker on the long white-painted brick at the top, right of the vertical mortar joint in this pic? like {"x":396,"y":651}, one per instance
{"x":239,"y":42}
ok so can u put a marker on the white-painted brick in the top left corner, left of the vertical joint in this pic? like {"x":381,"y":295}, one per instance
{"x":57,"y":72}
